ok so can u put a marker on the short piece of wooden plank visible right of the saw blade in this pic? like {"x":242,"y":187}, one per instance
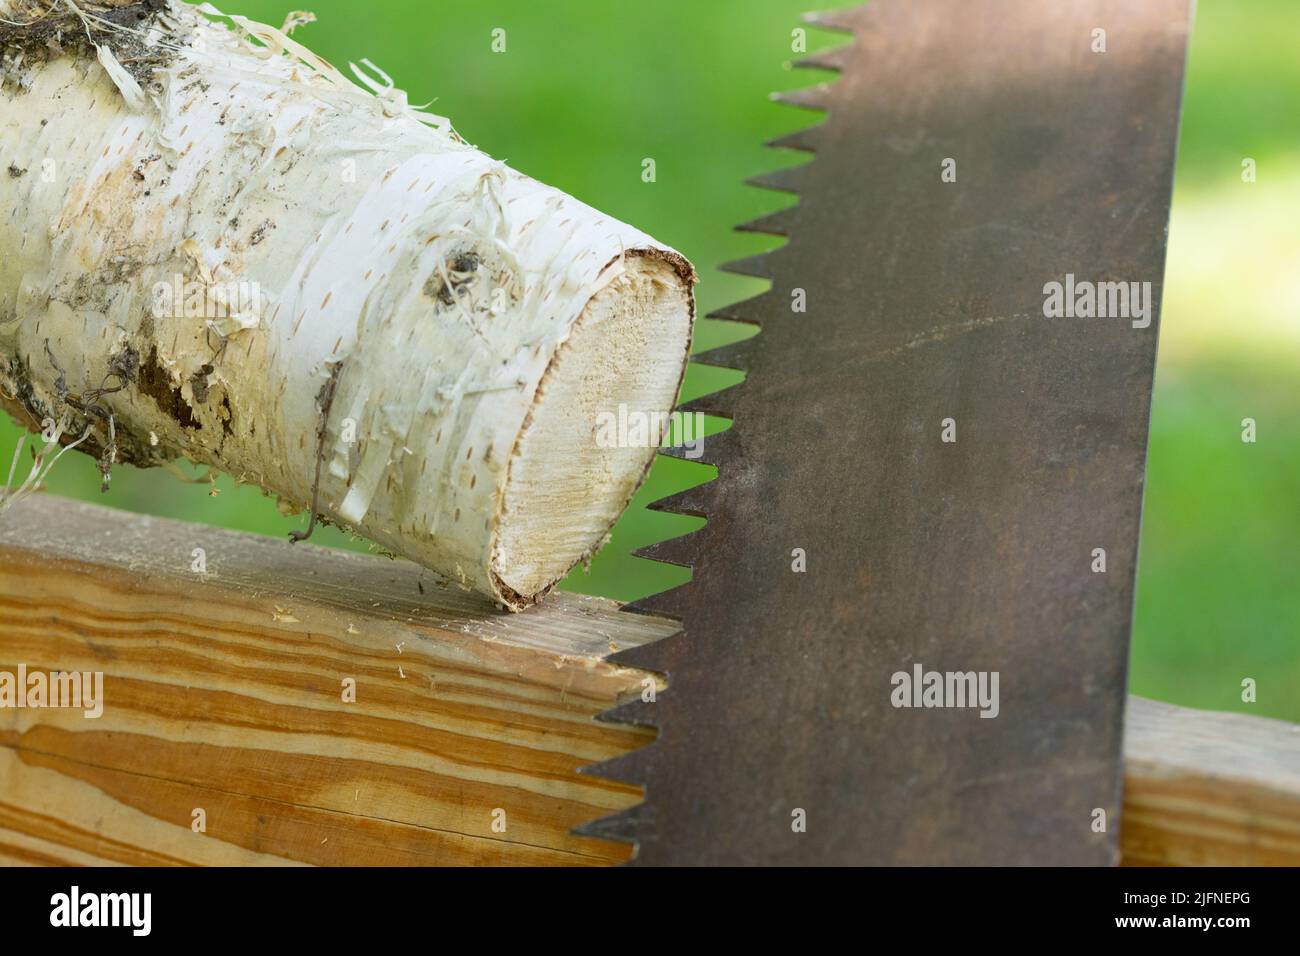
{"x":1206,"y":789}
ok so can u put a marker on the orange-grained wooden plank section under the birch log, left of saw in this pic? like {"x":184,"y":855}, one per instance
{"x":223,"y":691}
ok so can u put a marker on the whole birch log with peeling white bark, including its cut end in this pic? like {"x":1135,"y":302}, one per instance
{"x":239,"y":257}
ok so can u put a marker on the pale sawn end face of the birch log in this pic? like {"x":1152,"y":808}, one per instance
{"x":600,"y":414}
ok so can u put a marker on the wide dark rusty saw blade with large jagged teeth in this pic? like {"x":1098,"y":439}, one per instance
{"x":950,"y":455}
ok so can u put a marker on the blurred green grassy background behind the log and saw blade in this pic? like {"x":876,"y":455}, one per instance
{"x":587,"y":89}
